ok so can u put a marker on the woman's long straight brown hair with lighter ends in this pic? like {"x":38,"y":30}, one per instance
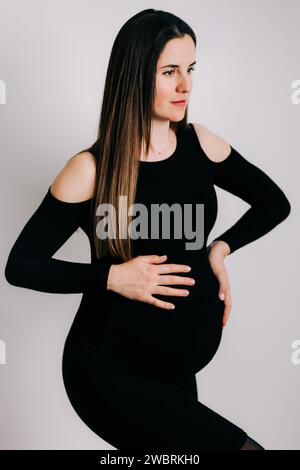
{"x":125,"y":119}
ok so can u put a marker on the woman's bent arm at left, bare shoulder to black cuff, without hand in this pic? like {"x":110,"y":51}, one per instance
{"x":30,"y":263}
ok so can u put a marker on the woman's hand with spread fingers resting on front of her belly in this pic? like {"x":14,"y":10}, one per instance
{"x":142,"y":276}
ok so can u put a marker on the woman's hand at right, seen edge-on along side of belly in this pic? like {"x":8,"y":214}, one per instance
{"x":217,"y":253}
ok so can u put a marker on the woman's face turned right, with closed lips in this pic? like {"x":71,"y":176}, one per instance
{"x":174,"y":83}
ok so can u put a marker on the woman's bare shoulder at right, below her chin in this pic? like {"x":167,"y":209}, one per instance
{"x":215,"y":147}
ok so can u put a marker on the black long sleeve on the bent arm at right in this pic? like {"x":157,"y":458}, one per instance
{"x":269,"y":205}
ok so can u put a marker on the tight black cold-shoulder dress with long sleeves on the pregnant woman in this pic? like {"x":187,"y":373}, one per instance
{"x":129,"y":367}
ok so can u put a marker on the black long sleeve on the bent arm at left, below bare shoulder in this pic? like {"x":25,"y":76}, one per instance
{"x":30,"y":263}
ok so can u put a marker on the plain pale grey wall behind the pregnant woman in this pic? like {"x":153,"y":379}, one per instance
{"x":53,"y":60}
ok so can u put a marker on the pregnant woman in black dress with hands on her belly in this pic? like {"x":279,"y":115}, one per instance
{"x":130,"y":359}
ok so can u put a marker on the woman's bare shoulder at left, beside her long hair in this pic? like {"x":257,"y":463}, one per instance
{"x":75,"y":182}
